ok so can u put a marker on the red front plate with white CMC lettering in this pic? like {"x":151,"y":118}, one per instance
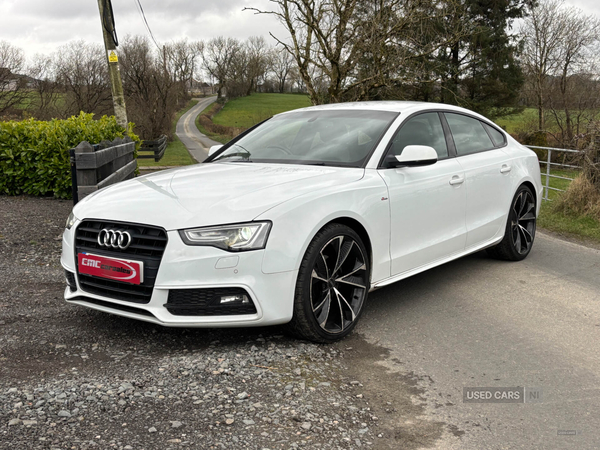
{"x":111,"y":268}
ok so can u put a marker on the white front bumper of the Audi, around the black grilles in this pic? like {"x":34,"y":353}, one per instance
{"x":196,"y":267}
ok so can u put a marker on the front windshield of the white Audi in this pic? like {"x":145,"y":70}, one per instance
{"x":336,"y":138}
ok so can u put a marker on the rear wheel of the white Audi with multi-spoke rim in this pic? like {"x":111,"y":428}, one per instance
{"x":520,"y":228}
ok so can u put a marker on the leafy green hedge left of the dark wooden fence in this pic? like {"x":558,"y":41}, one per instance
{"x":34,"y":157}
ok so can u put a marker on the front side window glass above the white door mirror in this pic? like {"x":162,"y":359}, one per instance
{"x":423,"y":129}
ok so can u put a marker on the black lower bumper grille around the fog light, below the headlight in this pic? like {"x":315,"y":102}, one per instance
{"x":205,"y":302}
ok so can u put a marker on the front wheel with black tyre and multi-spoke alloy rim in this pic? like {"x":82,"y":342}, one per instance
{"x":332,"y":286}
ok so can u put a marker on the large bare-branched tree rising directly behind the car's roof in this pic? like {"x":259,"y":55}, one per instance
{"x":360,"y":50}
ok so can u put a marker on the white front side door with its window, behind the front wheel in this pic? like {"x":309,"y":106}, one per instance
{"x":427,"y":203}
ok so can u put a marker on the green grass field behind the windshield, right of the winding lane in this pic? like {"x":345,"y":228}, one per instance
{"x":244,"y":112}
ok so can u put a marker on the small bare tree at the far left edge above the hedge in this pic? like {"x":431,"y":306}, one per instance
{"x":12,"y":63}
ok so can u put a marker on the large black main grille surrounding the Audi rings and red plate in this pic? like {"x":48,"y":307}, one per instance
{"x":147,"y":246}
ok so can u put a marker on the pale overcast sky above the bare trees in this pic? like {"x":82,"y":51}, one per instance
{"x":41,"y":26}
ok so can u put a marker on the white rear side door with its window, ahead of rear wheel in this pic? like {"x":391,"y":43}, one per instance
{"x":487,"y":176}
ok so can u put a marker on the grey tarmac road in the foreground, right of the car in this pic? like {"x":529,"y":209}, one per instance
{"x":477,"y":322}
